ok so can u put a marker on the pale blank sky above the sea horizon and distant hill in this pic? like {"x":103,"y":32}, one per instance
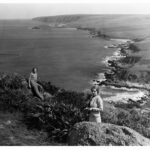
{"x":25,"y":10}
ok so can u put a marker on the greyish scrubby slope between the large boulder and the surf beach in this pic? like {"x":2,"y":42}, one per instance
{"x":128,"y":117}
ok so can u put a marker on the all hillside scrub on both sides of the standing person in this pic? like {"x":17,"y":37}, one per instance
{"x":59,"y":113}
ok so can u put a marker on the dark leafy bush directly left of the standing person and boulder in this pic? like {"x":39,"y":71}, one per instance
{"x":58,"y":115}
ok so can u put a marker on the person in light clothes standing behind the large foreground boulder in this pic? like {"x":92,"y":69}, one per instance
{"x":96,"y":105}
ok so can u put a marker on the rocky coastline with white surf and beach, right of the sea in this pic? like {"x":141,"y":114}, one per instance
{"x":131,"y":90}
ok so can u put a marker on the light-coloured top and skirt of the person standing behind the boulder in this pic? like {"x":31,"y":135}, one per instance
{"x":96,"y":102}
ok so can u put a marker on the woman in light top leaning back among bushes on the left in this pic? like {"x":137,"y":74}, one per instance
{"x":34,"y":85}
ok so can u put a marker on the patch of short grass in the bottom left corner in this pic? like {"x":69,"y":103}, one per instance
{"x":14,"y":132}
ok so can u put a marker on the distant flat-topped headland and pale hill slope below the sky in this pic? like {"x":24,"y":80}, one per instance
{"x":129,"y":26}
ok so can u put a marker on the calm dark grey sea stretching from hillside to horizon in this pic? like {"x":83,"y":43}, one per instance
{"x":69,"y":58}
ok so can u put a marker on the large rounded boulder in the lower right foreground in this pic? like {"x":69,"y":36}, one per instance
{"x":90,"y":133}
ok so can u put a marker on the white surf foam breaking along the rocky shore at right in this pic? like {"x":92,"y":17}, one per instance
{"x":121,"y":94}
